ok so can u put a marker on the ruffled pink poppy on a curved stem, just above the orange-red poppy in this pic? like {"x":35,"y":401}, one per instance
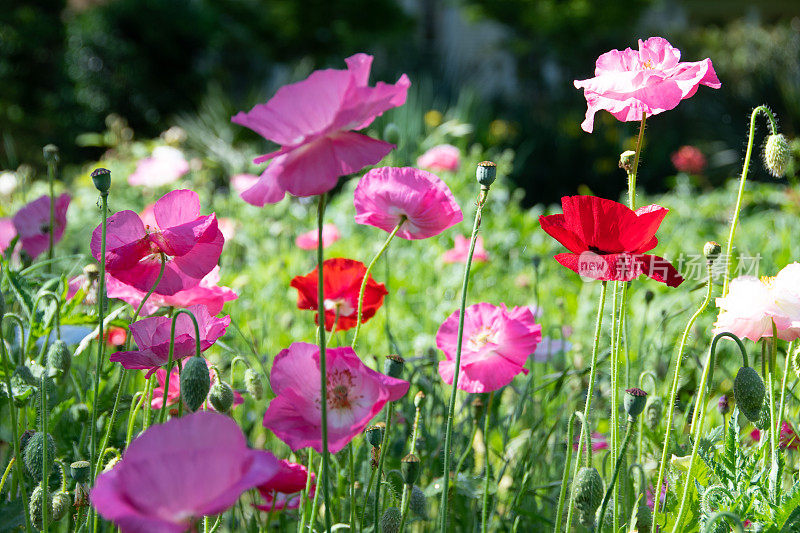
{"x":386,"y":194}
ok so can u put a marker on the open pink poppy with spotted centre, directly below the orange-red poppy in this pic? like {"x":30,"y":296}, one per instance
{"x":356,"y":394}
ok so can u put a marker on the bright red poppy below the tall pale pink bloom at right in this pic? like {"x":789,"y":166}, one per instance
{"x":607,"y":240}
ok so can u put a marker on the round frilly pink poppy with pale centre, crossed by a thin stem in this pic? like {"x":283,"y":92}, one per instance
{"x":497,"y":343}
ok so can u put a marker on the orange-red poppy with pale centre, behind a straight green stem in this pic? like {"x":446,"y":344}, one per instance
{"x":342,"y":279}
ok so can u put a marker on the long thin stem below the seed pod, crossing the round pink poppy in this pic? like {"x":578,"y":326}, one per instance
{"x":452,"y":404}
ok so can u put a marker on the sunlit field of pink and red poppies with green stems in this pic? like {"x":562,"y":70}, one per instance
{"x":352,"y":322}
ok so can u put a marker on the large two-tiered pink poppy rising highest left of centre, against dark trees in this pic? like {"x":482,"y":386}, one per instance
{"x":314,"y":121}
